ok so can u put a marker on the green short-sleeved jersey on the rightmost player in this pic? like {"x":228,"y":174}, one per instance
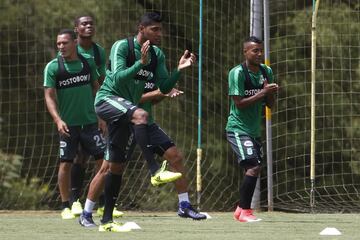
{"x":247,"y":120}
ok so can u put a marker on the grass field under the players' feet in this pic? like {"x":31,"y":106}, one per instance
{"x":158,"y":226}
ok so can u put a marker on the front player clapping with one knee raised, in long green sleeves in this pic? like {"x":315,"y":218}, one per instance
{"x":117,"y":99}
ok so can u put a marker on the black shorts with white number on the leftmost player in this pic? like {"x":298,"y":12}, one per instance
{"x":88,"y":136}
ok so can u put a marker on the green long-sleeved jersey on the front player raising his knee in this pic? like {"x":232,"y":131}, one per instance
{"x":123,"y":81}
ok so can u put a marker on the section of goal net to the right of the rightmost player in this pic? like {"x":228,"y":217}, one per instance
{"x":337,"y":110}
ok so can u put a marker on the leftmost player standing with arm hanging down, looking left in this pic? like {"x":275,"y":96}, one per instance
{"x":70,"y":83}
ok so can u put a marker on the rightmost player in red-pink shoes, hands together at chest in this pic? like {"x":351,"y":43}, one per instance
{"x":250,"y":87}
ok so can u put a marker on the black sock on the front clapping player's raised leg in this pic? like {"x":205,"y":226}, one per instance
{"x":142,"y":138}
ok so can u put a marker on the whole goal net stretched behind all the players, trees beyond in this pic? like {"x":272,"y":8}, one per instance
{"x":29,"y":140}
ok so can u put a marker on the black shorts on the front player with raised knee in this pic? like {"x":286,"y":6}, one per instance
{"x":117,"y":113}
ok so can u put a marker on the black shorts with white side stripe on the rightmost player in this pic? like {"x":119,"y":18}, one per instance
{"x":248,"y":150}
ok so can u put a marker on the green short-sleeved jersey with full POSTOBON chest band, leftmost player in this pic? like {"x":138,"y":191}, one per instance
{"x":73,"y":88}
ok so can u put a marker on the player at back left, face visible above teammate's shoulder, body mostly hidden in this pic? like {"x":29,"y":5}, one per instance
{"x":84,"y":26}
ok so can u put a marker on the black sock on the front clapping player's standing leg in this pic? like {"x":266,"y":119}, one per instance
{"x":112,"y":189}
